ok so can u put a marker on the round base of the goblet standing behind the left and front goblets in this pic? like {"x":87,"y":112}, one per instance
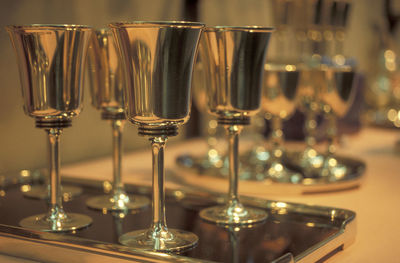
{"x":118,"y":202}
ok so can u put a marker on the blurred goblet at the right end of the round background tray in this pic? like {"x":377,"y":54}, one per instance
{"x":336,"y":96}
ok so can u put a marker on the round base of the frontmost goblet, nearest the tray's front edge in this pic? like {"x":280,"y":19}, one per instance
{"x":167,"y":241}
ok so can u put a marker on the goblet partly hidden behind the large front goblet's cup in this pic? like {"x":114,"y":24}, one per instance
{"x":106,"y":82}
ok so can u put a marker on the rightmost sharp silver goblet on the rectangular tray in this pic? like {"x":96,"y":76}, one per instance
{"x":234,"y":60}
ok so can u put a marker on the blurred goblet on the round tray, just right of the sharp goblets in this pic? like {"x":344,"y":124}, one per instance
{"x":279,"y":95}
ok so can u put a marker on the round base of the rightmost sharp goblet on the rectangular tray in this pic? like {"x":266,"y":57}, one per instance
{"x":221,"y":215}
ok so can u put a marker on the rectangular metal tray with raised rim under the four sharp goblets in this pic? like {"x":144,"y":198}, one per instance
{"x":292,"y":232}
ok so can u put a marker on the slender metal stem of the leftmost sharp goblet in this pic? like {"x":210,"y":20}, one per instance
{"x":55,"y":182}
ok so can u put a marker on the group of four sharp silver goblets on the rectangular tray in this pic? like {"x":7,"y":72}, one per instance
{"x":140,"y":71}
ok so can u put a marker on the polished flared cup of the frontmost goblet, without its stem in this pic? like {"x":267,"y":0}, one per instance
{"x":158,"y":58}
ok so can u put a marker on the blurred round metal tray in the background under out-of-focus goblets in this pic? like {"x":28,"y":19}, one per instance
{"x":197,"y":173}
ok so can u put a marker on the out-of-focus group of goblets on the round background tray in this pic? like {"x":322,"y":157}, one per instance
{"x":306,"y":69}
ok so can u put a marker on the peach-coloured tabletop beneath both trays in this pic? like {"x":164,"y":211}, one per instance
{"x":376,"y":202}
